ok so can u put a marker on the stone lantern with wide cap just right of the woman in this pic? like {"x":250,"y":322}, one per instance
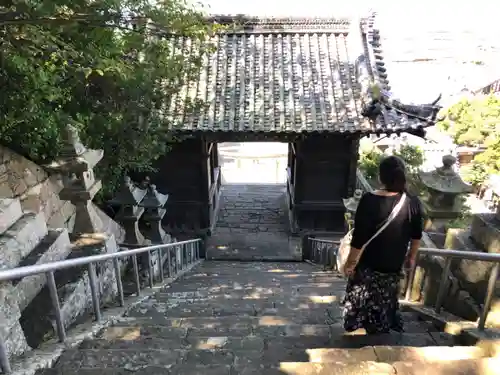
{"x":445,"y":186}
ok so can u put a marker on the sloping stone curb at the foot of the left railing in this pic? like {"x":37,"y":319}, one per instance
{"x":48,"y":353}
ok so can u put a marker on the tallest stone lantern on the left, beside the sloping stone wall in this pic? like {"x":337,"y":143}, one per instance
{"x":79,"y":184}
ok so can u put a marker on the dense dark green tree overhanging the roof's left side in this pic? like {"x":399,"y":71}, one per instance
{"x":110,"y":67}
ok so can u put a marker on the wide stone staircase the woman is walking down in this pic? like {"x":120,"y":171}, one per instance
{"x":228,"y":318}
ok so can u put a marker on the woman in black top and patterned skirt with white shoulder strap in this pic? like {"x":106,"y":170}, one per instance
{"x":371,"y":300}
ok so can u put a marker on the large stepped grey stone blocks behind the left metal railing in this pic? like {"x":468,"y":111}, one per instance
{"x":26,"y":311}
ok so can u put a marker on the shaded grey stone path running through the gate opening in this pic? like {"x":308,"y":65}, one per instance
{"x":253,"y":225}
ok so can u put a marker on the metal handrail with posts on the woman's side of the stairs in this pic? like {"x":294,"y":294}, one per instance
{"x":324,"y":252}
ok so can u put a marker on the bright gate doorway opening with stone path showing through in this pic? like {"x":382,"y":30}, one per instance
{"x":253,"y":218}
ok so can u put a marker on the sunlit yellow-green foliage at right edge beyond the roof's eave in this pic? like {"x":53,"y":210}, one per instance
{"x":476,"y":122}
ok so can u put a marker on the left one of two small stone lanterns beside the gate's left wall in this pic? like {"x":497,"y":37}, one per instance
{"x":128,"y":198}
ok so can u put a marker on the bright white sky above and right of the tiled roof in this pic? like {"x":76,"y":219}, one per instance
{"x":456,"y":34}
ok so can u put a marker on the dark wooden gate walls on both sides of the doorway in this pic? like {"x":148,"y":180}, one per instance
{"x":321,"y":172}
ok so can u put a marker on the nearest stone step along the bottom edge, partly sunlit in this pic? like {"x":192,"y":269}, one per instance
{"x":361,"y":361}
